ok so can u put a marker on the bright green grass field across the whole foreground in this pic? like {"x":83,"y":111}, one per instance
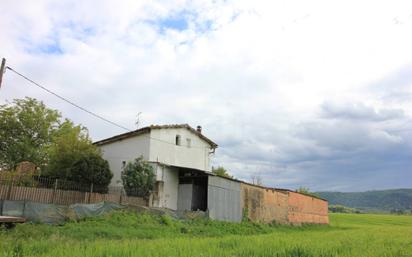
{"x":130,"y":234}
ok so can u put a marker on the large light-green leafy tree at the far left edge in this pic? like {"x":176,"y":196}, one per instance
{"x":26,"y":126}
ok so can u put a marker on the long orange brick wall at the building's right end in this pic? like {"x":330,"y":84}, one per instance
{"x":281,"y":206}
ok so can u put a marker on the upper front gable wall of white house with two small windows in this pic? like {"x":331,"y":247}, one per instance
{"x":196,"y":156}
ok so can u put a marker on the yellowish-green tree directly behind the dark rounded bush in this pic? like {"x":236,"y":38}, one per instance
{"x":69,"y":144}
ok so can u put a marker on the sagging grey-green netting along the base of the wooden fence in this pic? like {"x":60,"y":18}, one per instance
{"x":55,"y":214}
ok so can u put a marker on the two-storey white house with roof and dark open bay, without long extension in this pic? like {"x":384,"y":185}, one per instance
{"x":177,"y":152}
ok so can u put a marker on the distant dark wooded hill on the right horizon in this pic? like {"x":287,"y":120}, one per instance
{"x":382,"y":200}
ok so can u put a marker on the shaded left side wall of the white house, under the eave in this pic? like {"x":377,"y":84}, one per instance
{"x":124,"y":150}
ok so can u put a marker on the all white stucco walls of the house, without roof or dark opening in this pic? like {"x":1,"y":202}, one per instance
{"x":159,"y":147}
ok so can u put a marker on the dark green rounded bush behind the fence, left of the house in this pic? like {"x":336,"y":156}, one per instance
{"x":92,"y":169}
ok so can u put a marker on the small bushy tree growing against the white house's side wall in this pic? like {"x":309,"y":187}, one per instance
{"x":138,"y":178}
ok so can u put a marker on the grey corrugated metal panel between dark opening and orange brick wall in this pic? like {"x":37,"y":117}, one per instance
{"x":223,"y":199}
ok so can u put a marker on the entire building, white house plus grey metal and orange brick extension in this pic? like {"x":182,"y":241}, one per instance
{"x":180,"y":155}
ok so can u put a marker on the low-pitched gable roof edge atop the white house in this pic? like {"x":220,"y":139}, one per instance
{"x":149,"y":128}
